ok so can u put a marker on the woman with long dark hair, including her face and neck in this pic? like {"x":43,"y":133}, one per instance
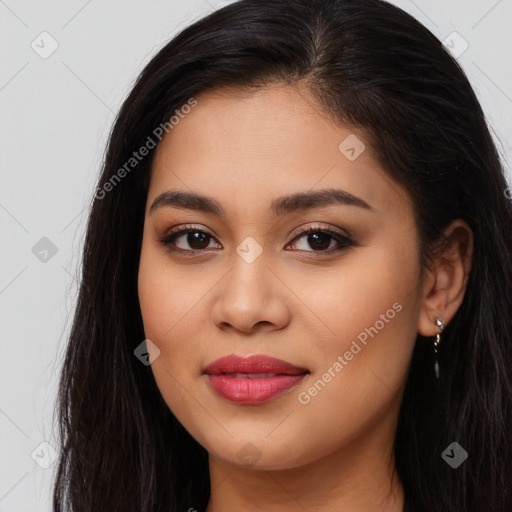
{"x":297,"y":278}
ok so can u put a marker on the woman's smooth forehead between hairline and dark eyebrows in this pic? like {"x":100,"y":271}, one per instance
{"x":248,"y":148}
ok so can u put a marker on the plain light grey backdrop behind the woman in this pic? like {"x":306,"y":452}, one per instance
{"x":56,"y":113}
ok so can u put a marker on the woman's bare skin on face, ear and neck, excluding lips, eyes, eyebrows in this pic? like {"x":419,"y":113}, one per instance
{"x":244,"y":150}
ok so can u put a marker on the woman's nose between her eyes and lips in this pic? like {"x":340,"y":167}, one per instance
{"x":251,"y":299}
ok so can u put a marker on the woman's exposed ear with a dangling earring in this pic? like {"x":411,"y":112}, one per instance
{"x":445,"y":281}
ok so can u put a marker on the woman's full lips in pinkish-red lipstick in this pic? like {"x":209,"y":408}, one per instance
{"x":253,"y":389}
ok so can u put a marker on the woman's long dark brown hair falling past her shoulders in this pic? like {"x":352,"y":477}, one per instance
{"x":369,"y":65}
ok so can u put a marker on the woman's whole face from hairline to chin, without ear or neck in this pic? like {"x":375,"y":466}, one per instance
{"x":344,"y":311}
